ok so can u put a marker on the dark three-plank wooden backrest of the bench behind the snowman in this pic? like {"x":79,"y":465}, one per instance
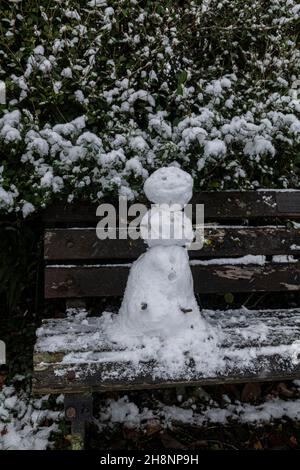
{"x":79,"y":265}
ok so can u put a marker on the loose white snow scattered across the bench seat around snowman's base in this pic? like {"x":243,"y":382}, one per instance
{"x":220,"y":343}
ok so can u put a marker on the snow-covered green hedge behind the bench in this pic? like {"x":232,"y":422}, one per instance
{"x":101,"y":92}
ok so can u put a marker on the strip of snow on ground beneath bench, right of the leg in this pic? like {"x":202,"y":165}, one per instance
{"x":124,"y":411}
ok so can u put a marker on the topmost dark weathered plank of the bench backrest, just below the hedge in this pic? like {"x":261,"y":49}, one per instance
{"x":219,"y":204}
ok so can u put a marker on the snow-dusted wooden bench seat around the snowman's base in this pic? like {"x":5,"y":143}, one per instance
{"x":73,"y":355}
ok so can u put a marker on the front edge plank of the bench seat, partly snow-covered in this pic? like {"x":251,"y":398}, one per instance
{"x":83,"y":379}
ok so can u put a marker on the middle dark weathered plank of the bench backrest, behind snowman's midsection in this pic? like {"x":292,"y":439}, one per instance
{"x":83,"y":244}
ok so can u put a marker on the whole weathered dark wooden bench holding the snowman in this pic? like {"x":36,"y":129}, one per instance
{"x":78,"y":266}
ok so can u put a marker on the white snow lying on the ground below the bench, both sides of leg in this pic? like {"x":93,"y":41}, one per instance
{"x":23,"y":419}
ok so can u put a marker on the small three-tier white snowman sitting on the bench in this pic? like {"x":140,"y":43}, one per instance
{"x":159,"y":298}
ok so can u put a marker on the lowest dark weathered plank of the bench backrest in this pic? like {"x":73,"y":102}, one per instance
{"x":110,"y":280}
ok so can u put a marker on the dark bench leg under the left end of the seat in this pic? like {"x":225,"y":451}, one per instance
{"x":78,"y":410}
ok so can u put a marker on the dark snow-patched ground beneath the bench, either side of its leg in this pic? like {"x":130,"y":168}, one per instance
{"x":251,"y":416}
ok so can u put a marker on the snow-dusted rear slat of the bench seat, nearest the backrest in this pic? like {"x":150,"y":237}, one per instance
{"x":58,"y":337}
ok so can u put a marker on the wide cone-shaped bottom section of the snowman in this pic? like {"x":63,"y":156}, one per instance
{"x":158,"y":291}
